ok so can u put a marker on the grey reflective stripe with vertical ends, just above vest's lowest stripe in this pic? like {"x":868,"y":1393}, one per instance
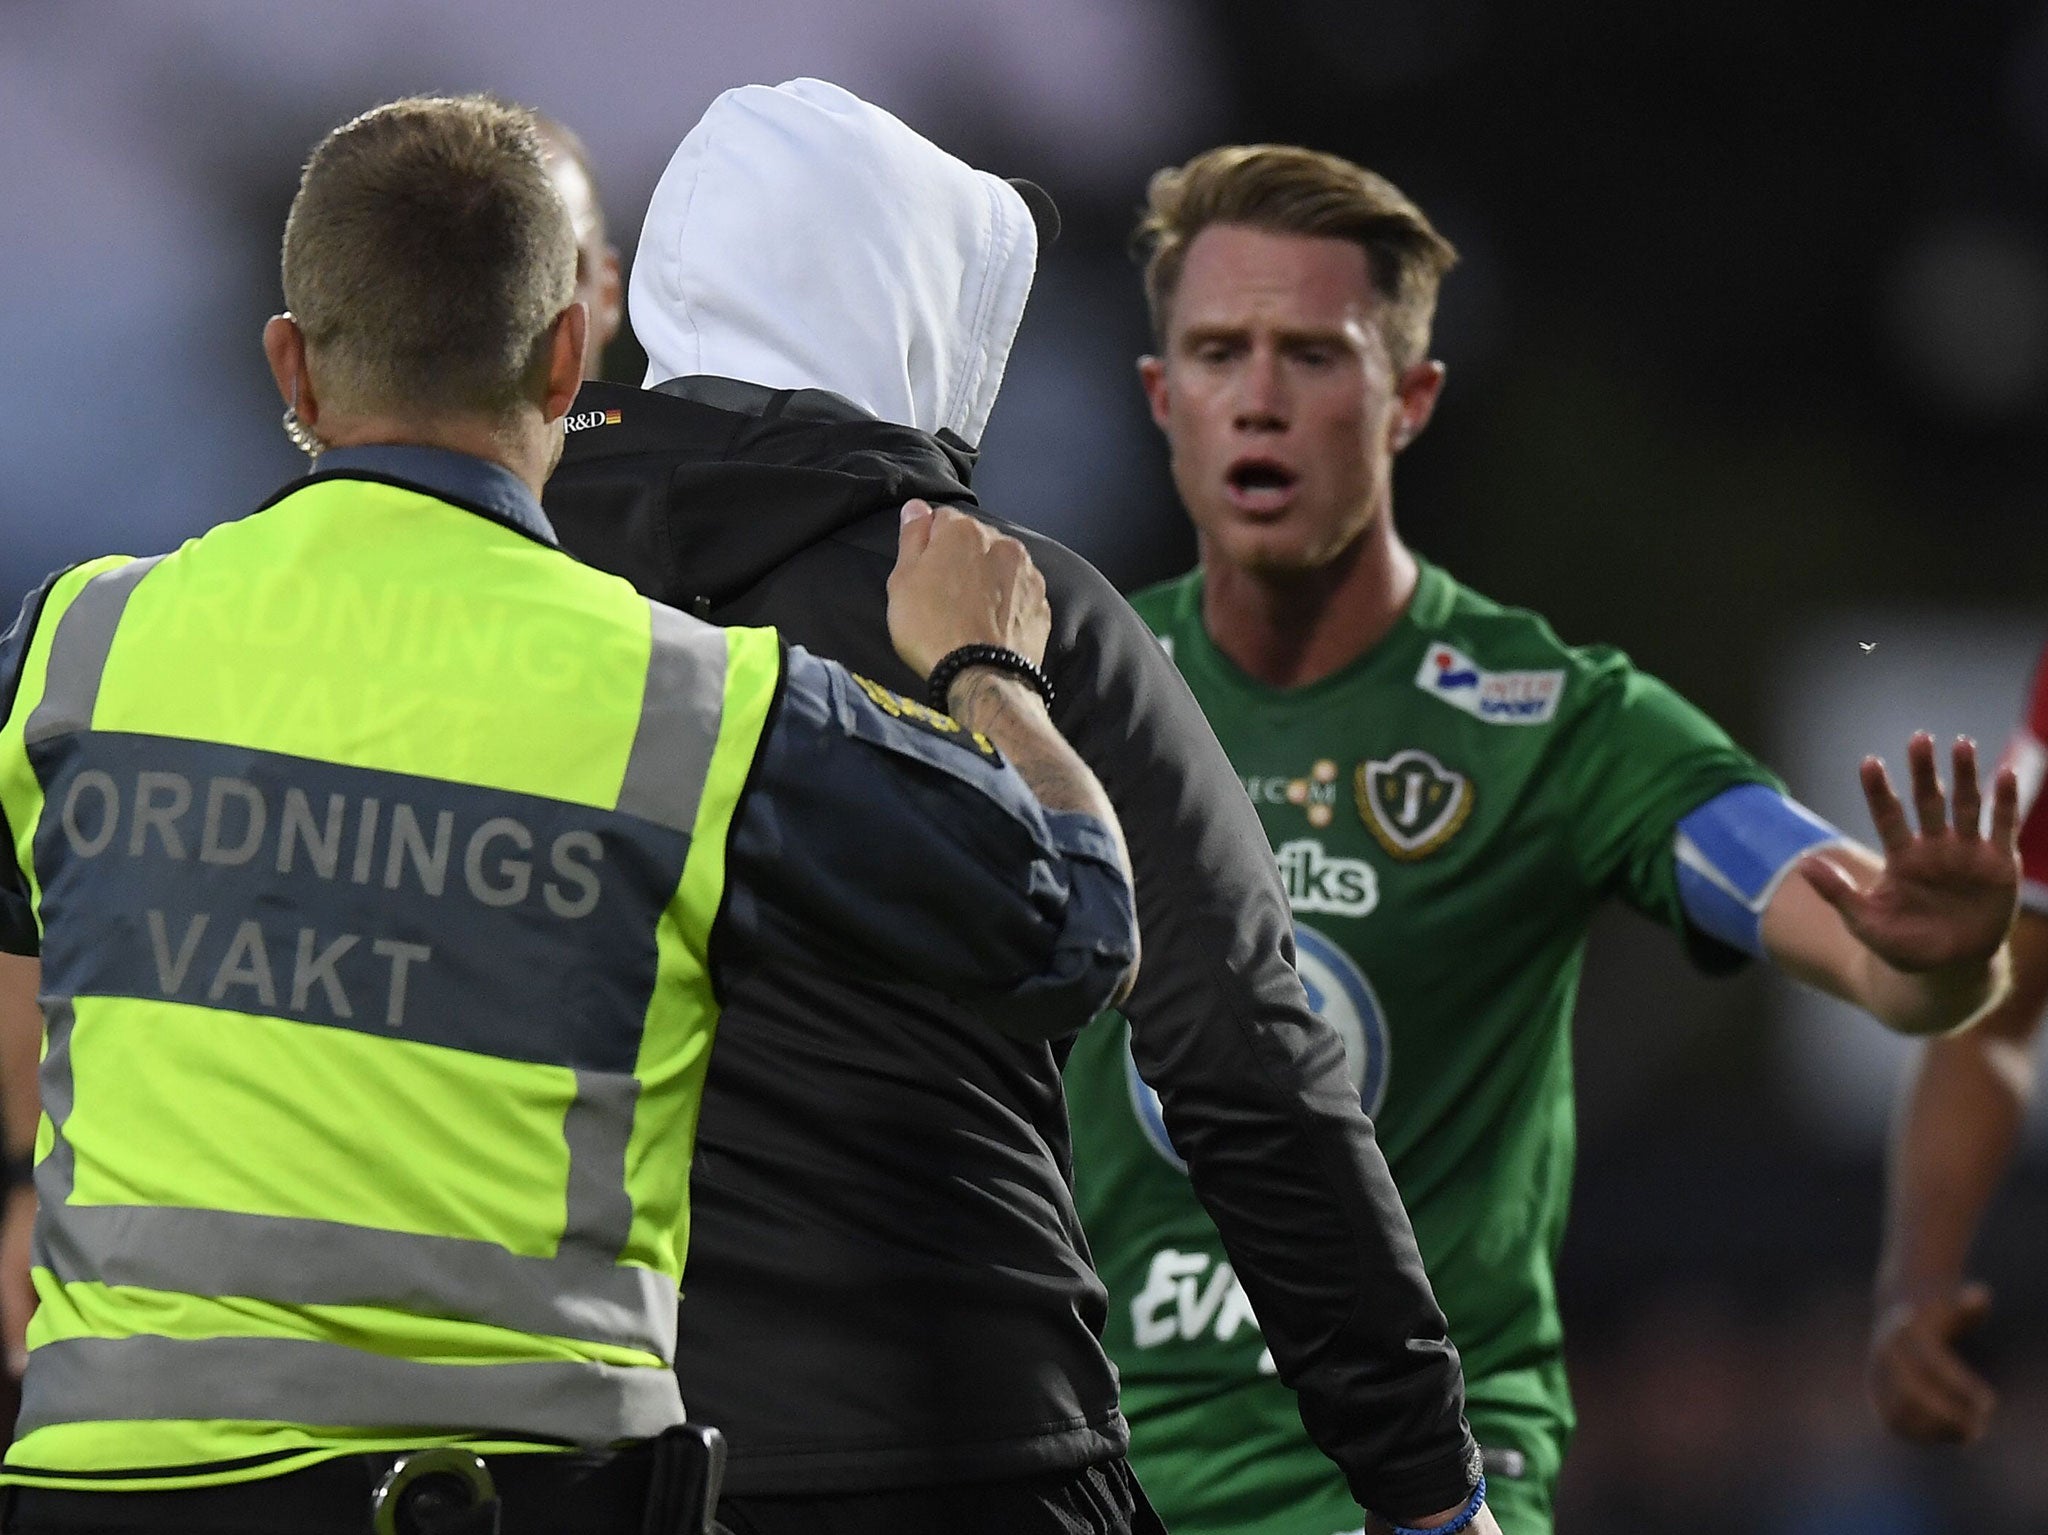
{"x":583,"y":1292}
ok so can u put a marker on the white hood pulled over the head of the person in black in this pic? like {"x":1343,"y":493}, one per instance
{"x":804,"y":238}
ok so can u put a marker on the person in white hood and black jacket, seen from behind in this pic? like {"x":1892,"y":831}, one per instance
{"x":892,"y":1311}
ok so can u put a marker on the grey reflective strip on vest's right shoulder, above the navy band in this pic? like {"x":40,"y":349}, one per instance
{"x":681,"y":717}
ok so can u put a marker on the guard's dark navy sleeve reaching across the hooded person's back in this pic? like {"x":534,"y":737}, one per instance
{"x":880,"y":836}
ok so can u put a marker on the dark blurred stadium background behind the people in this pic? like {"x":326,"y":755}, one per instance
{"x":1748,"y":369}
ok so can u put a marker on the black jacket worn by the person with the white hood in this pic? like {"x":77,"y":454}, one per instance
{"x":888,"y":1284}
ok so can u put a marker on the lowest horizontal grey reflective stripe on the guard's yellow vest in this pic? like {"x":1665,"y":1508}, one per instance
{"x":296,"y":1380}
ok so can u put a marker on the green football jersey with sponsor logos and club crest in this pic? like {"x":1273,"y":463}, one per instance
{"x":1447,"y":814}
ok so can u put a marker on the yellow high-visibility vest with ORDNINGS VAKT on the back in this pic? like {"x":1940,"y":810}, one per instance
{"x":376,"y":850}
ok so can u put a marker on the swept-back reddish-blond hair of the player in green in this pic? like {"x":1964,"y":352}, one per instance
{"x":1289,"y":191}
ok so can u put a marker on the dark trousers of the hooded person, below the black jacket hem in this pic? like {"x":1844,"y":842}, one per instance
{"x":1095,"y":1501}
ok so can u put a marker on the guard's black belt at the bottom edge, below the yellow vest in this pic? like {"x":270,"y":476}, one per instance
{"x":542,"y":1495}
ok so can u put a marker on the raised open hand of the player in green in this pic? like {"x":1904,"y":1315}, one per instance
{"x":1947,"y":895}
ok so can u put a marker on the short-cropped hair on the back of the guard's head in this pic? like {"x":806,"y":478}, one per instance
{"x":427,"y":257}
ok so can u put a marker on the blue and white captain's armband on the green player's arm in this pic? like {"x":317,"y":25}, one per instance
{"x":1732,"y":857}
